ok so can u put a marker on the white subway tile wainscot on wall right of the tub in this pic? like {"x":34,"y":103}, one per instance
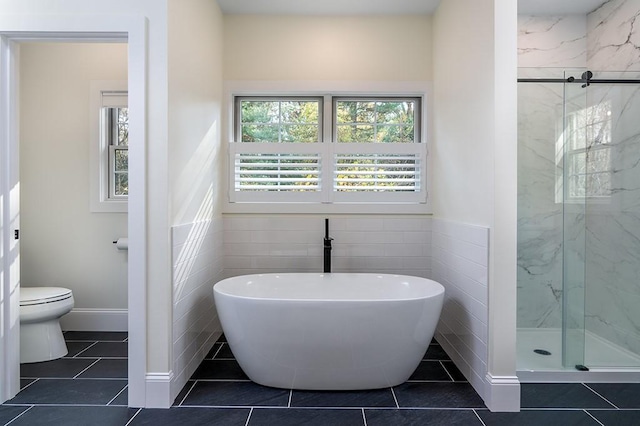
{"x":460,"y":264}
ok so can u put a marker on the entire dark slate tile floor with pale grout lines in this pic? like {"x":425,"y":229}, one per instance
{"x":89,"y":387}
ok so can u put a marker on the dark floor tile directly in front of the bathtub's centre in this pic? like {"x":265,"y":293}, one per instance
{"x":350,"y":399}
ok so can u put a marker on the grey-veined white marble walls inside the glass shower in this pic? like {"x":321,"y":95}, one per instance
{"x":606,"y":39}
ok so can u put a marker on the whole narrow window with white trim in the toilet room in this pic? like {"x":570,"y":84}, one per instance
{"x":109,"y":146}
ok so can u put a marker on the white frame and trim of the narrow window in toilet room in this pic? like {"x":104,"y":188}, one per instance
{"x":109,"y":93}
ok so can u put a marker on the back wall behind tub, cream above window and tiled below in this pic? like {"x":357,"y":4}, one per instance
{"x":338,"y":53}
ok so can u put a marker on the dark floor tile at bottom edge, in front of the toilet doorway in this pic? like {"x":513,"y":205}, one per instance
{"x":77,"y":416}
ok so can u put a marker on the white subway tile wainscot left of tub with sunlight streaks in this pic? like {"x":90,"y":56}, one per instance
{"x":197,"y":265}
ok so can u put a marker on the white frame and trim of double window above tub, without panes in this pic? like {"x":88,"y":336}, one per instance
{"x":389,"y":203}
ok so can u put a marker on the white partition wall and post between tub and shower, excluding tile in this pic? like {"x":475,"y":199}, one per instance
{"x":474,"y":163}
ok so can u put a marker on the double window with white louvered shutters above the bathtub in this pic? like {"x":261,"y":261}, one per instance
{"x":373,"y":152}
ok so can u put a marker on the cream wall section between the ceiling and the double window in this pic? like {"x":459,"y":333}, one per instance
{"x":327,"y":48}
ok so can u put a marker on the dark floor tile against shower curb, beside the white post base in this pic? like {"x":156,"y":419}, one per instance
{"x":559,"y":395}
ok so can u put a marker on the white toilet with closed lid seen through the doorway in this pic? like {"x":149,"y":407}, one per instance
{"x":40,"y":333}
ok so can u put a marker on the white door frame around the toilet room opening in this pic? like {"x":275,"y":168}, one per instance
{"x":133,"y":30}
